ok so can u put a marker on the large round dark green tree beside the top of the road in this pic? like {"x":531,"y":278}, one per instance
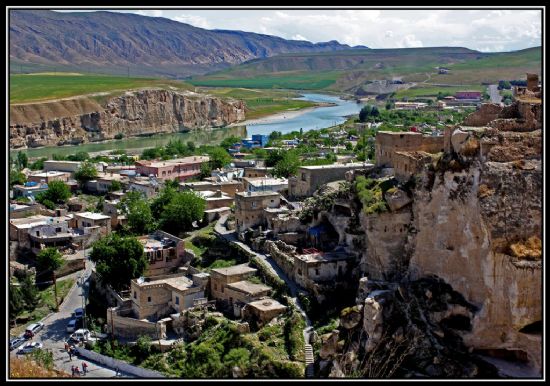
{"x":119,"y":260}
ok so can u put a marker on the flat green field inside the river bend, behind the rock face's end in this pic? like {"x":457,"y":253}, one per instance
{"x":261,"y":102}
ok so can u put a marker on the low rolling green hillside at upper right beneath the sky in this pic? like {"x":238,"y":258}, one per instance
{"x":347,"y":70}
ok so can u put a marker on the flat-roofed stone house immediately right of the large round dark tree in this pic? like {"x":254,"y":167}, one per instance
{"x":164,"y":251}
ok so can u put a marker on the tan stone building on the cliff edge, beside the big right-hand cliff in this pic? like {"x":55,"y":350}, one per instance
{"x":389,"y":142}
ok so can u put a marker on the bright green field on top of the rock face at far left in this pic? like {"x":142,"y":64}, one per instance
{"x":40,"y":87}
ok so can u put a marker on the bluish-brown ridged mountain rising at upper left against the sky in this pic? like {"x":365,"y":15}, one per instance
{"x":110,"y":41}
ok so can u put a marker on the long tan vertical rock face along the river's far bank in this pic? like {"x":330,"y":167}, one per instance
{"x":135,"y":113}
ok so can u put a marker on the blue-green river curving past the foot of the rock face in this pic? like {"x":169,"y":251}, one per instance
{"x":309,"y":119}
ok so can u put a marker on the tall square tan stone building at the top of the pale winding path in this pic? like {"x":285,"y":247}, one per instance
{"x":250,"y":208}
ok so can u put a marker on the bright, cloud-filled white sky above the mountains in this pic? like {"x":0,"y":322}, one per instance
{"x":483,"y":30}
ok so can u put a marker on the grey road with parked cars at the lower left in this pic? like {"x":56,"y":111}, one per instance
{"x":54,"y":335}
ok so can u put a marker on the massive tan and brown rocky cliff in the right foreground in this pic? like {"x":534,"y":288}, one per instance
{"x":471,"y":221}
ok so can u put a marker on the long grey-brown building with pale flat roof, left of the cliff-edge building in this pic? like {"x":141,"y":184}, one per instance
{"x":309,"y":178}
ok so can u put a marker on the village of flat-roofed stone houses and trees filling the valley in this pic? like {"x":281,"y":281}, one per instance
{"x":250,"y":237}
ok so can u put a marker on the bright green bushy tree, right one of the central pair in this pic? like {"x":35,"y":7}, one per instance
{"x":183,"y":209}
